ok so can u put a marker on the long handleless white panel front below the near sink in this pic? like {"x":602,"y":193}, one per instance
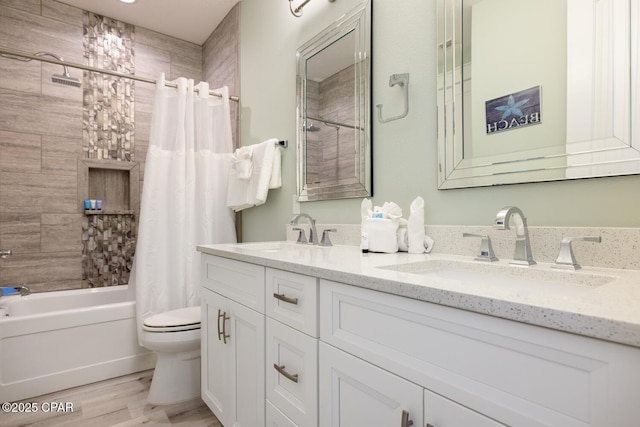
{"x":516,"y":373}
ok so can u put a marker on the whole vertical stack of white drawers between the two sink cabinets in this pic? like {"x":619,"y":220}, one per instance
{"x":291,"y":349}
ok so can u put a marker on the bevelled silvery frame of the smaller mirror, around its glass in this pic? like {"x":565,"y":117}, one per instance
{"x":358,"y":21}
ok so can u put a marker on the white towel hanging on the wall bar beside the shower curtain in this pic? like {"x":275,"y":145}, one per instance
{"x":246,"y":193}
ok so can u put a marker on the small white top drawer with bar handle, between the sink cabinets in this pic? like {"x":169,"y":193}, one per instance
{"x":293,"y":300}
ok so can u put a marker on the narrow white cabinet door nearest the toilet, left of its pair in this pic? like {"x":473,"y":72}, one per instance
{"x":214,"y":354}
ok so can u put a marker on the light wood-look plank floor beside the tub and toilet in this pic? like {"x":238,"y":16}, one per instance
{"x":118,"y":402}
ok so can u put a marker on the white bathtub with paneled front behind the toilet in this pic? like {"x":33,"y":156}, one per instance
{"x":55,"y":340}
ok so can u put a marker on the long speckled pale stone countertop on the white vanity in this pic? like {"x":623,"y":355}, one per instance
{"x":596,"y":302}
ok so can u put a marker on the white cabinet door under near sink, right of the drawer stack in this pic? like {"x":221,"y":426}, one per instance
{"x":354,"y":393}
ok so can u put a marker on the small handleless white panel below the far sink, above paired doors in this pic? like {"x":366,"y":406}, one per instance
{"x":236,"y":280}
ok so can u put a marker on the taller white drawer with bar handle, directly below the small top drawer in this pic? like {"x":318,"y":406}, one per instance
{"x":292,"y":376}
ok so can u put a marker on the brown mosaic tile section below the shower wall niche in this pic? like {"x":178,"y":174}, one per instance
{"x":108,"y":246}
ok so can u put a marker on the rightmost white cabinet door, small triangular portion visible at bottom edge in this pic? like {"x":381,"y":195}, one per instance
{"x":441,"y":412}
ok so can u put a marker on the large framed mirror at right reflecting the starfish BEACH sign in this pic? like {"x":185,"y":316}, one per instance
{"x":539,"y":91}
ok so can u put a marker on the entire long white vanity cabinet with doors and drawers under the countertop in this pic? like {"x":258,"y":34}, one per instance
{"x":284,"y":349}
